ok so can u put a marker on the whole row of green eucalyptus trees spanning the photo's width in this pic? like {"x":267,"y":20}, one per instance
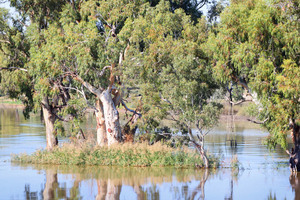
{"x":163,"y":58}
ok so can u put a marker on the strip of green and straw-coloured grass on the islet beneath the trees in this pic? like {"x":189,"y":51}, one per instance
{"x":139,"y":154}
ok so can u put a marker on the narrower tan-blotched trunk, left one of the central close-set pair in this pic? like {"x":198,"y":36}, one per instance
{"x":101,"y":130}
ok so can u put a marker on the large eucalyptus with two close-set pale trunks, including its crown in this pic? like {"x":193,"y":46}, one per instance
{"x":84,"y":47}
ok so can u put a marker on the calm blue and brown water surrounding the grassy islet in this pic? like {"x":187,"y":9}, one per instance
{"x":262,"y":175}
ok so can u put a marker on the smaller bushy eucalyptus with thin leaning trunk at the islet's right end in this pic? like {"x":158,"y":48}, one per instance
{"x":167,"y":64}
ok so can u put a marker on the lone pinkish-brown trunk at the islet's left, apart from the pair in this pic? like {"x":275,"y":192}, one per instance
{"x":49,"y":120}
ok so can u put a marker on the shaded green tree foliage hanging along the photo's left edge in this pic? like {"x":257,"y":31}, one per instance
{"x":13,"y":58}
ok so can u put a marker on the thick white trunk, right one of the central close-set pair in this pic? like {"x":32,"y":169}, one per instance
{"x":111,"y":116}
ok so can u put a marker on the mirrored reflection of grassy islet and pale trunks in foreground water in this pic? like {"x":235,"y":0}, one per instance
{"x":119,"y":182}
